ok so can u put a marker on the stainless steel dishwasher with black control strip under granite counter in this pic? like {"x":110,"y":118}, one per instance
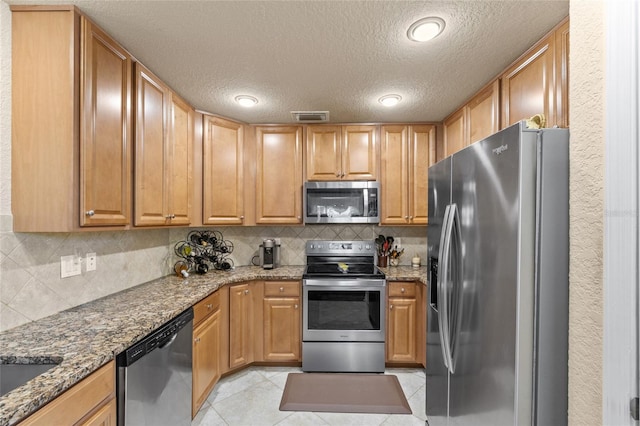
{"x":154,"y":376}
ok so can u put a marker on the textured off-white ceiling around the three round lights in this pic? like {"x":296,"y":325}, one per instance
{"x":339,"y":56}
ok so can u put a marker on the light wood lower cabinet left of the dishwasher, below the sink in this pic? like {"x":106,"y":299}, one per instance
{"x":89,"y":402}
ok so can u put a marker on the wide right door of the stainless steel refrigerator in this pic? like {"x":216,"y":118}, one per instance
{"x":486,"y":182}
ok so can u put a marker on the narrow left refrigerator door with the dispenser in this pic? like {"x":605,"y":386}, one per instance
{"x":437,"y":372}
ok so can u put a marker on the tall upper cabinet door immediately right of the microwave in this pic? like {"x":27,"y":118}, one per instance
{"x":394,"y":175}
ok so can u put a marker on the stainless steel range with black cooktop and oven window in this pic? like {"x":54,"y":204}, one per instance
{"x":344,"y":296}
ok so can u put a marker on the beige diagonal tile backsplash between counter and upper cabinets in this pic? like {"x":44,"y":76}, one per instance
{"x":31,"y":287}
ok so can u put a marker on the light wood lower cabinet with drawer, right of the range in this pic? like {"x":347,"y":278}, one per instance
{"x":403,"y":316}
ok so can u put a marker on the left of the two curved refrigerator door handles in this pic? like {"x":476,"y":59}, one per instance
{"x":443,"y":282}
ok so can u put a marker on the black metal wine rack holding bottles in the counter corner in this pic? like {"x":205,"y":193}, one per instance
{"x":201,"y":251}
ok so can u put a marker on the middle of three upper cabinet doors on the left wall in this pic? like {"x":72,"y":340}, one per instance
{"x":151,"y":149}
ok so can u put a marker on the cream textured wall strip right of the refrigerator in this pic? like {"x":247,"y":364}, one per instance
{"x":586,"y":91}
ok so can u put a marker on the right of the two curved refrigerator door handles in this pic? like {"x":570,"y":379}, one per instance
{"x":455,"y":309}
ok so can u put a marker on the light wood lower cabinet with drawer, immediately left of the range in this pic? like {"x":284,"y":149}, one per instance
{"x":282,"y":321}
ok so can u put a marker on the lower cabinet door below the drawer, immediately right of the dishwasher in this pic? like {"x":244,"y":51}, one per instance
{"x":206,"y":359}
